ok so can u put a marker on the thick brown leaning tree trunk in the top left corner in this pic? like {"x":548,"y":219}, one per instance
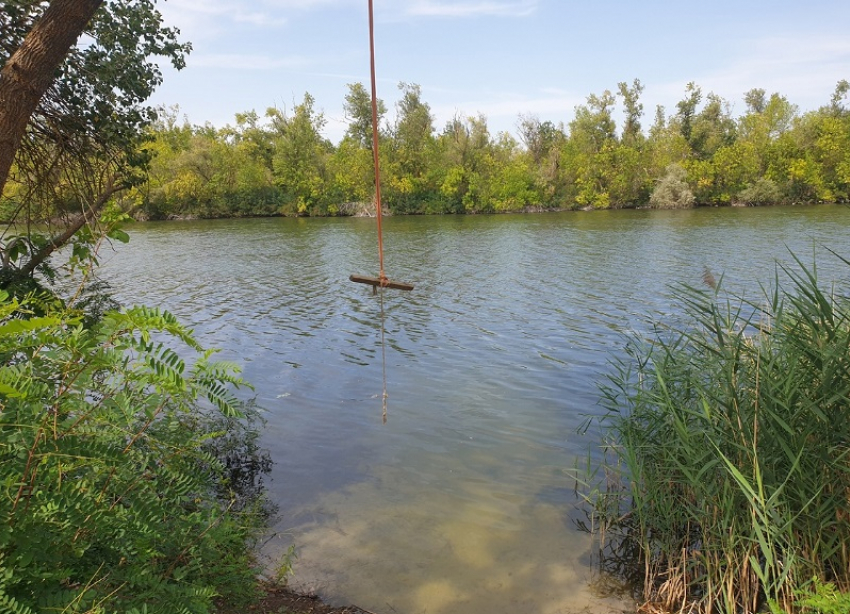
{"x":29,"y":72}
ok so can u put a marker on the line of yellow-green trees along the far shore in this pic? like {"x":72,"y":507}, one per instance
{"x":699,"y":154}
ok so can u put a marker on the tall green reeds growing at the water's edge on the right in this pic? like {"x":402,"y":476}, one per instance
{"x":729,"y":437}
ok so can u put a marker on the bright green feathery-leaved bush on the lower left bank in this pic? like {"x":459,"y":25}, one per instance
{"x":113,"y":499}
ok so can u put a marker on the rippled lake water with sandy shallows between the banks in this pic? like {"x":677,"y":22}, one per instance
{"x":463,"y":501}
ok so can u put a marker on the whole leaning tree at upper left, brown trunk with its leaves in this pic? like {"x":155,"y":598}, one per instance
{"x":71,"y":115}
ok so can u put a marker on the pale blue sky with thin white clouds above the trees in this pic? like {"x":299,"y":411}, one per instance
{"x":503,"y":59}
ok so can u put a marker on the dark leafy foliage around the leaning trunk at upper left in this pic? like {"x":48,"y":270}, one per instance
{"x":83,"y":142}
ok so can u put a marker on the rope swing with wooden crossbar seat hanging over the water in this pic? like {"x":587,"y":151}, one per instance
{"x":381,"y":281}
